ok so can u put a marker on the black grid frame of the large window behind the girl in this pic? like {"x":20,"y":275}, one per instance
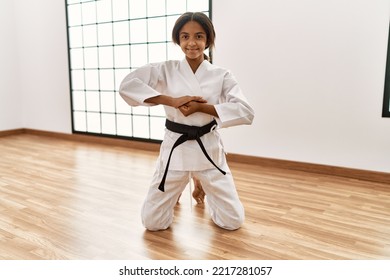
{"x":84,"y":91}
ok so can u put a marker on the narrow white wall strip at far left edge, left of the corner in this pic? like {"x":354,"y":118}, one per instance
{"x":10,"y":97}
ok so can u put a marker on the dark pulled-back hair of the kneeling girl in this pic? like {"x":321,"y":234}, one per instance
{"x":200,"y":18}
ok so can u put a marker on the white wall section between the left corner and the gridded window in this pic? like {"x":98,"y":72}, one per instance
{"x":42,"y":50}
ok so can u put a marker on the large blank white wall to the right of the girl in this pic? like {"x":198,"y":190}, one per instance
{"x":314,"y":71}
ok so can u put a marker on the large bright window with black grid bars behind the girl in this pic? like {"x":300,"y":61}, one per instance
{"x":107,"y":39}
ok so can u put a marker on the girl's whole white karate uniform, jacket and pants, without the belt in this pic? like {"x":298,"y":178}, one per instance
{"x":218,"y":87}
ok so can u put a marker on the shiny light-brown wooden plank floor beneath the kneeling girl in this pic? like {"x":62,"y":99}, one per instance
{"x":63,"y":199}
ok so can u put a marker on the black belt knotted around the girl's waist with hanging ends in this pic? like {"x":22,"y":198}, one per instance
{"x":189,"y":132}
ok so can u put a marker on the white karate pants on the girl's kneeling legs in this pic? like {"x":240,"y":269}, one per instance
{"x":225,"y":207}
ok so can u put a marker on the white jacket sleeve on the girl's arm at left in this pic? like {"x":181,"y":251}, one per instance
{"x":140,"y":85}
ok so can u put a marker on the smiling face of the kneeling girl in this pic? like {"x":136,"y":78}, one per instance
{"x":193,"y":40}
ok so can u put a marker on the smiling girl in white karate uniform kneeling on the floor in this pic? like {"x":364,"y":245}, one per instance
{"x":197,"y":97}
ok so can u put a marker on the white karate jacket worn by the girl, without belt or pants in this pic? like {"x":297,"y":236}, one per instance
{"x":176,"y":78}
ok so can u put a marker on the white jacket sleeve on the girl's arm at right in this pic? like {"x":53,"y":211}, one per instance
{"x":233,"y":108}
